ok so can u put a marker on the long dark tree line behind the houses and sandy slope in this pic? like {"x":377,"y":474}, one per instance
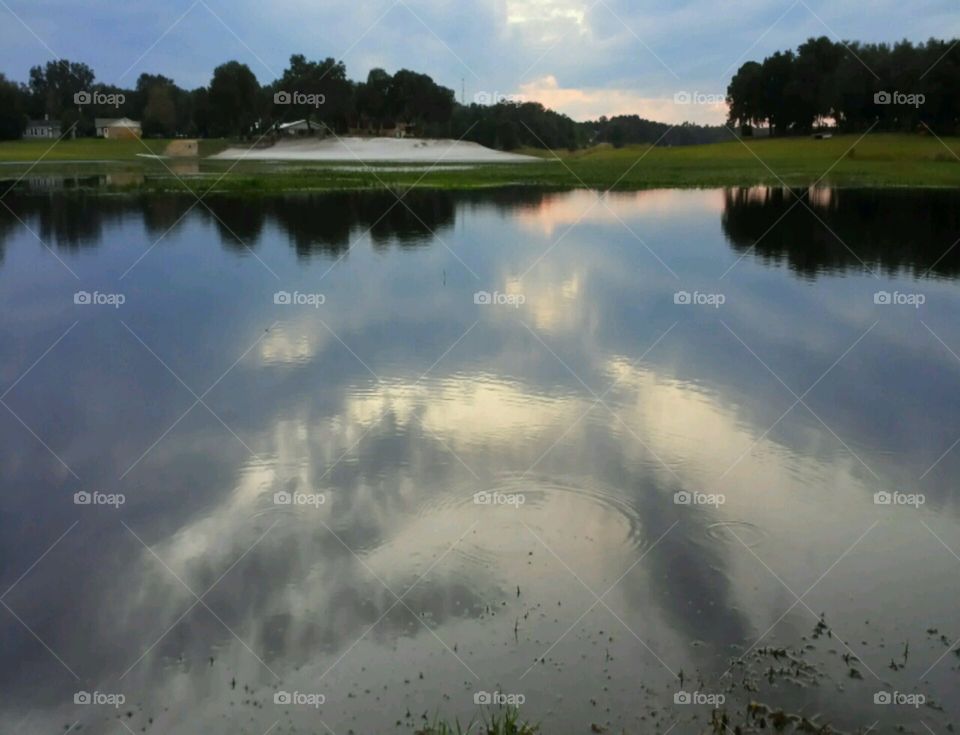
{"x":235,"y":105}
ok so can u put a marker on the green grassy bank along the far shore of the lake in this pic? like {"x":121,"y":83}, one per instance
{"x":845,"y":161}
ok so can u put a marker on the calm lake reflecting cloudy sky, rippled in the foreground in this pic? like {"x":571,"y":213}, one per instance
{"x":340,"y":463}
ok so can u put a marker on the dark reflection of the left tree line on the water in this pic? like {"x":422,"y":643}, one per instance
{"x":315,"y":224}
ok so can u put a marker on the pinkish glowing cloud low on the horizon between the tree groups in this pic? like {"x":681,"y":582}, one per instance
{"x":590,"y":103}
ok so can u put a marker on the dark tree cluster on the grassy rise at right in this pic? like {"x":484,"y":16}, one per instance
{"x":851,"y":86}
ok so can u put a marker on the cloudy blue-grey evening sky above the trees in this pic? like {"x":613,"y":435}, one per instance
{"x":585,"y":58}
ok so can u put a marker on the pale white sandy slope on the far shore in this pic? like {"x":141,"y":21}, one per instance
{"x":403,"y":150}
